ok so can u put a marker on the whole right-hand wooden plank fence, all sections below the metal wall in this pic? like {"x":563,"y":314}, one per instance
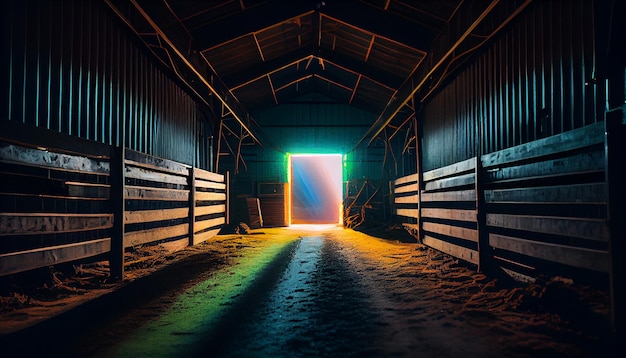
{"x":544,"y":205}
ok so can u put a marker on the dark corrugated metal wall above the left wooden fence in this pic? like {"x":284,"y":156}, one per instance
{"x":70,"y":66}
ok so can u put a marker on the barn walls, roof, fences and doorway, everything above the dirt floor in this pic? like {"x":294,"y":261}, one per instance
{"x":489,"y":131}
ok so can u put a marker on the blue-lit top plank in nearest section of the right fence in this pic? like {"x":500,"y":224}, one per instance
{"x":567,"y":141}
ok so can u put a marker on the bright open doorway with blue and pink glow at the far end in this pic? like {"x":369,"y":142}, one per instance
{"x":316,"y":188}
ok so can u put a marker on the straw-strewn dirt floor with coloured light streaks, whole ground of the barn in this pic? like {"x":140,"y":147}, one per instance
{"x":335,"y":292}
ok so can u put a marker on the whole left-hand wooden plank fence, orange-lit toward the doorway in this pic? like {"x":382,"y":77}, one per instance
{"x":64,"y":199}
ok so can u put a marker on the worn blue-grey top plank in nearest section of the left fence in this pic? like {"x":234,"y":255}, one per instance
{"x":48,"y":159}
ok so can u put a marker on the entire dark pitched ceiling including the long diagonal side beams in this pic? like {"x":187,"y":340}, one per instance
{"x":254,"y":55}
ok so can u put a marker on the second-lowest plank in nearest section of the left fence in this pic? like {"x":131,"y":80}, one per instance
{"x":51,"y":223}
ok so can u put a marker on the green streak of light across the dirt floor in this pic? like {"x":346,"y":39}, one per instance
{"x":184,"y":326}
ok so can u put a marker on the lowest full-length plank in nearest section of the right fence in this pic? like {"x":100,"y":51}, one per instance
{"x":573,"y":256}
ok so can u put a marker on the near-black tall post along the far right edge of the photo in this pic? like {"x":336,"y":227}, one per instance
{"x":611,"y":67}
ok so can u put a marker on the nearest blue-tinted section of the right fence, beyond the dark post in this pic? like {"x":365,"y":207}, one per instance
{"x":546,"y":202}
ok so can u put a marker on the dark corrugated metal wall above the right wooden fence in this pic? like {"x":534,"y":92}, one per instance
{"x":533,"y":81}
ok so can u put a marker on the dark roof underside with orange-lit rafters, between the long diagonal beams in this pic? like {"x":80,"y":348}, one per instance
{"x":275,"y":52}
